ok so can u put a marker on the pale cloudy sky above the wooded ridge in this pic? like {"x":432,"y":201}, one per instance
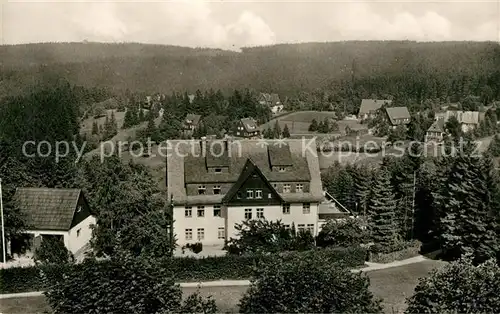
{"x":232,"y":24}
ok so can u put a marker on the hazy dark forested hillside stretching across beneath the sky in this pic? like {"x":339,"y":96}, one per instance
{"x":406,"y":70}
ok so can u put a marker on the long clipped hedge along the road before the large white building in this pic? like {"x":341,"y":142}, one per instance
{"x":191,"y":269}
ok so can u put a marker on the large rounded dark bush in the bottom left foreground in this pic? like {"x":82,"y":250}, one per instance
{"x":124,"y":285}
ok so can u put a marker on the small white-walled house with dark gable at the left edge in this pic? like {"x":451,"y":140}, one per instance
{"x":60,"y":213}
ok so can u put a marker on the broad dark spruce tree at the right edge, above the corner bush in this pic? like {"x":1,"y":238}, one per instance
{"x":469,"y":207}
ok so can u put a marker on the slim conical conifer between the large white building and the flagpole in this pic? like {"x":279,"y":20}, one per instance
{"x":381,"y":210}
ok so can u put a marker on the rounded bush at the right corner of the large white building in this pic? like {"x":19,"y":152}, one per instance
{"x":344,"y":233}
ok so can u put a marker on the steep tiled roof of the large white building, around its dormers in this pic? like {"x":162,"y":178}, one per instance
{"x":186,"y":165}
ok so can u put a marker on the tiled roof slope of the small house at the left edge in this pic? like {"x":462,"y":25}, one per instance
{"x":48,"y":209}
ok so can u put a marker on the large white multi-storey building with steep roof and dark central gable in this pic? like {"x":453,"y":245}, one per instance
{"x":217,"y":184}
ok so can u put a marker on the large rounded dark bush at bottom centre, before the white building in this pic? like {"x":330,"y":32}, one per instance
{"x":308,"y":286}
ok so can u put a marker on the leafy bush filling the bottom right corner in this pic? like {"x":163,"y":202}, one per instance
{"x":459,"y":287}
